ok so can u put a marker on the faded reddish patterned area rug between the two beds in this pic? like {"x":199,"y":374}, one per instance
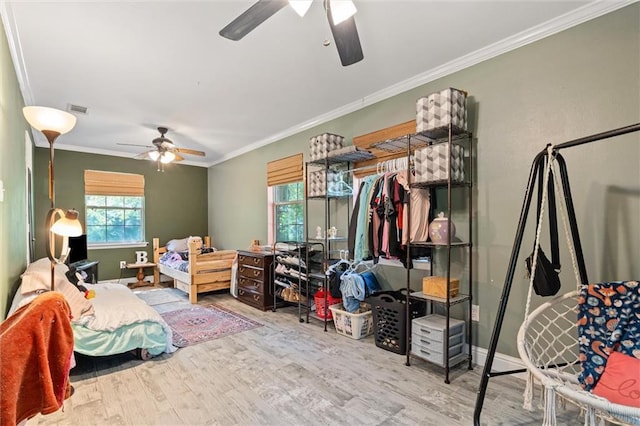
{"x":205,"y":322}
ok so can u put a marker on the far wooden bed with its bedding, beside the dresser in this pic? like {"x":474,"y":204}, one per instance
{"x":194,"y":266}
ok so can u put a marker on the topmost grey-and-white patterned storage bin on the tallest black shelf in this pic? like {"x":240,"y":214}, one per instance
{"x":440,"y":109}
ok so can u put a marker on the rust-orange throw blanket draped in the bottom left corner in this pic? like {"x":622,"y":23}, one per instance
{"x":36,"y":344}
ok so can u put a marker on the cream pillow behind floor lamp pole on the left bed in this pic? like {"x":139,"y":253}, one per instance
{"x":37,"y":278}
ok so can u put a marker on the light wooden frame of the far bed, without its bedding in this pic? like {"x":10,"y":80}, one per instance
{"x":207,"y":271}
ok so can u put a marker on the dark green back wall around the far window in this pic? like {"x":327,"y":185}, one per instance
{"x":175,"y":200}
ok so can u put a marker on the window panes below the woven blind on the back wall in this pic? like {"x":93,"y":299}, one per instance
{"x":114,"y":219}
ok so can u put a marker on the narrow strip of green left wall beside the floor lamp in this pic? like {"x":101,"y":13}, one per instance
{"x":13,"y":210}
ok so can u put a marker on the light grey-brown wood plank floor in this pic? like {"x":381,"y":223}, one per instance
{"x":284,"y":373}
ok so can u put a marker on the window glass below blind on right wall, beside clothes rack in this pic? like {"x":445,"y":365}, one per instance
{"x":288,"y":212}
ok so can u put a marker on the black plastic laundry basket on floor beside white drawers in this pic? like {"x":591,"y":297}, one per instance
{"x":390,"y":318}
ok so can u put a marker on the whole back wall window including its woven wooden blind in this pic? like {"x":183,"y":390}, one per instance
{"x":114,"y":209}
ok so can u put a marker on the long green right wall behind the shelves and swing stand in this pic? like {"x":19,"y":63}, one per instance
{"x":581,"y":81}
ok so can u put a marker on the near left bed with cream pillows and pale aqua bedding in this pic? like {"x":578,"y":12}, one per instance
{"x":113,"y":321}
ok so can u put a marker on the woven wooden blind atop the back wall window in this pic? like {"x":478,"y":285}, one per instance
{"x":112,"y":183}
